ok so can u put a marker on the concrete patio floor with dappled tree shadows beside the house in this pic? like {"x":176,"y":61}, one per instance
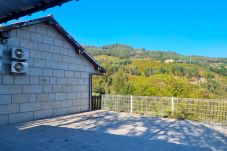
{"x":110,"y":131}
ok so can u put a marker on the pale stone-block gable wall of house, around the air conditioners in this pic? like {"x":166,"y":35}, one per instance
{"x":57,"y":82}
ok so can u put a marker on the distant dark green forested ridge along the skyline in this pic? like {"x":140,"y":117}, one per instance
{"x":122,"y":51}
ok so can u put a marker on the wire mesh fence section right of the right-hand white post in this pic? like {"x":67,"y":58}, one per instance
{"x":206,"y":110}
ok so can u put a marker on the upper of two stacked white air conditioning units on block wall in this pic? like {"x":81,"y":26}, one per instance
{"x":19,"y":54}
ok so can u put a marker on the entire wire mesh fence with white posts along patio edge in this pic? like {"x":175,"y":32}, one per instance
{"x":206,"y":110}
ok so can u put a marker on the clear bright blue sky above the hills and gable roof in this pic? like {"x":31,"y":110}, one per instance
{"x":190,"y":27}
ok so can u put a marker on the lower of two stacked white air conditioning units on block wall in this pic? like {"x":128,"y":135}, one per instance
{"x":19,"y":67}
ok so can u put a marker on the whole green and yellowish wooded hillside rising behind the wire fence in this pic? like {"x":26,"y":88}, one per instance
{"x":158,"y":73}
